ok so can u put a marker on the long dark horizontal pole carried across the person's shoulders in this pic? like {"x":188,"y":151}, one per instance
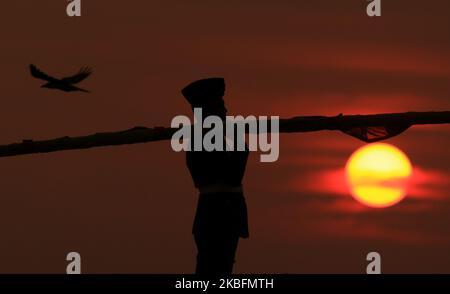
{"x":292,"y":125}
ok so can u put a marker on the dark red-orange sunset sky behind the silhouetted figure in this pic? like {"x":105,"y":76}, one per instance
{"x":130,"y":209}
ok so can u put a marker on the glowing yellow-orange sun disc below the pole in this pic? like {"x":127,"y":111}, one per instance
{"x":378,"y":174}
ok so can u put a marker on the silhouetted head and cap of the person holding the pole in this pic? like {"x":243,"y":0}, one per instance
{"x":208,"y":95}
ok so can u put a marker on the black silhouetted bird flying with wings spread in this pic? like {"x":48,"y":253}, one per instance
{"x":65,"y":84}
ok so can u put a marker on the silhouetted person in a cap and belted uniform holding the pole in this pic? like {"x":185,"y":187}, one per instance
{"x":221,"y":215}
